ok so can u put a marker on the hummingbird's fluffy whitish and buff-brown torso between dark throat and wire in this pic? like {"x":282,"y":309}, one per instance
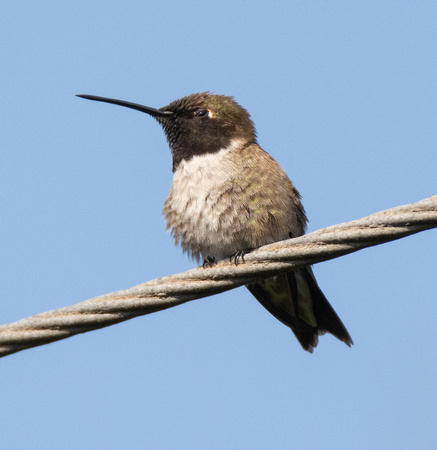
{"x":219,"y":203}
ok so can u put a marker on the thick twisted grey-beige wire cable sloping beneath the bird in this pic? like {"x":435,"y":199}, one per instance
{"x":166,"y":292}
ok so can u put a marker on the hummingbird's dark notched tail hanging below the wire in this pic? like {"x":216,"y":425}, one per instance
{"x":296,"y":300}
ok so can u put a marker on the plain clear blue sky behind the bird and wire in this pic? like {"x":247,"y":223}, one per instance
{"x":343,"y":95}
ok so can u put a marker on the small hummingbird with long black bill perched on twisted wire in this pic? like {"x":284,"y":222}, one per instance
{"x":229,"y":196}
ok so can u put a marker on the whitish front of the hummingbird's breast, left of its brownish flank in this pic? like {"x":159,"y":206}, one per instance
{"x":195,"y":207}
